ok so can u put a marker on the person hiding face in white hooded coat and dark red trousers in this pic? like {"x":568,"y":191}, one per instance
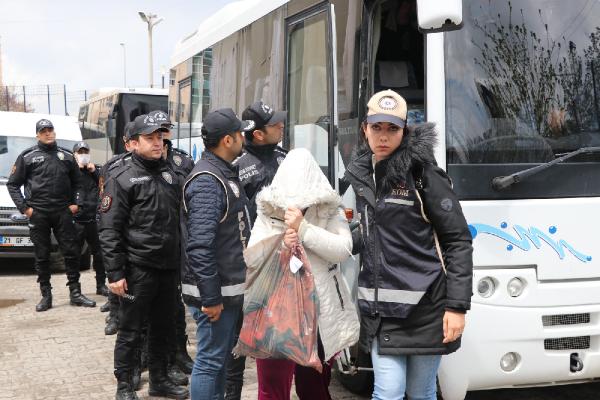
{"x":301,"y":198}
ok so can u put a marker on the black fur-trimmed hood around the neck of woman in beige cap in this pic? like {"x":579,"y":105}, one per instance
{"x":416,"y":149}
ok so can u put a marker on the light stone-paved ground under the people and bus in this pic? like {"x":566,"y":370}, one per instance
{"x":64,"y":354}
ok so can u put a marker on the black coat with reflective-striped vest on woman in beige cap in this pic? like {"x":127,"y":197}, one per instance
{"x":413,"y":240}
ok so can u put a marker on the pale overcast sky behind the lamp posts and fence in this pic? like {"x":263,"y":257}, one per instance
{"x":76,"y":42}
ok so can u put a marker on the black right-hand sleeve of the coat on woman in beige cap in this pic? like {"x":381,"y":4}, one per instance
{"x":445,"y":213}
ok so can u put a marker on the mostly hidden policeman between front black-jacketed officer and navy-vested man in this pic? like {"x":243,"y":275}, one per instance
{"x":182,"y":164}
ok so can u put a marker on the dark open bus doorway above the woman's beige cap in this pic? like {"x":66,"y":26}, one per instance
{"x":398,"y":51}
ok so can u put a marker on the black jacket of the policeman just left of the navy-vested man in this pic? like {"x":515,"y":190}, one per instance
{"x":139,"y":221}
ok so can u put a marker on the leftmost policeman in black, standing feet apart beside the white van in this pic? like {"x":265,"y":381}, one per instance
{"x":52,"y":195}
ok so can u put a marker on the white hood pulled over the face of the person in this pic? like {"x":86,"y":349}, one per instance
{"x":299,"y":182}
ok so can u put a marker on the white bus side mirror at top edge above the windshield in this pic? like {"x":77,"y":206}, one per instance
{"x":439,"y":15}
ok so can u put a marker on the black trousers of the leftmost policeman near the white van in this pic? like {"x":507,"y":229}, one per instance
{"x":41,"y":224}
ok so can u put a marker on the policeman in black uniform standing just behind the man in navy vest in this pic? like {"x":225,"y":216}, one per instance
{"x":139,"y":232}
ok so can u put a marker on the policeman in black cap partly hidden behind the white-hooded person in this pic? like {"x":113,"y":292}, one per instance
{"x":258,"y":165}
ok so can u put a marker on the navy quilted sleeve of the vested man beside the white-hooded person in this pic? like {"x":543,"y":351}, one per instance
{"x":205,"y":202}
